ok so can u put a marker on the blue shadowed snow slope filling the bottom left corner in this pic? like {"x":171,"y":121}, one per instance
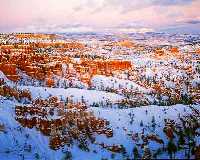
{"x":16,"y":137}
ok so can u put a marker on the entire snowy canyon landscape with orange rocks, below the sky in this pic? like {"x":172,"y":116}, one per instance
{"x":27,"y":126}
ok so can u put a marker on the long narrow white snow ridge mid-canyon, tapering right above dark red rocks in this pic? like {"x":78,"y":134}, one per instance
{"x":89,"y":96}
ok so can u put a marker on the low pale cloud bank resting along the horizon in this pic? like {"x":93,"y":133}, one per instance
{"x":78,"y":28}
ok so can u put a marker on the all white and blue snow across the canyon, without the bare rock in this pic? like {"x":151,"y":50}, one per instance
{"x":168,"y":72}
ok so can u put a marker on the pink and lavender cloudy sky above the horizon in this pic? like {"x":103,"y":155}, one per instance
{"x":99,"y":15}
